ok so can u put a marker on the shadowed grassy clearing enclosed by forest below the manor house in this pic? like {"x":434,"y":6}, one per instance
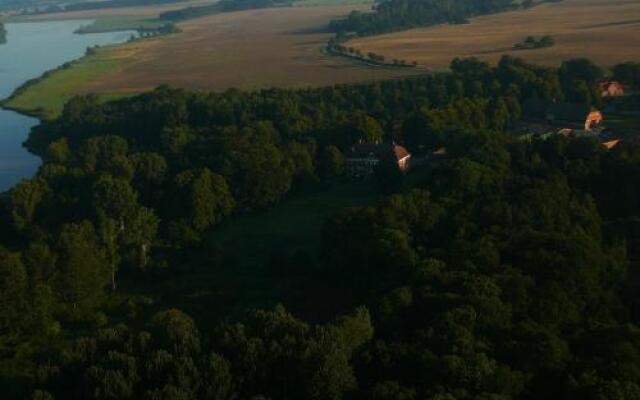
{"x":236,"y":277}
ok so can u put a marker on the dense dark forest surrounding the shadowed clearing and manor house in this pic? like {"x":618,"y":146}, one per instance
{"x":506,"y":271}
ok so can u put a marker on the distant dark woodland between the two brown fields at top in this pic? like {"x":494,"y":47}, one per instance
{"x":395,"y":15}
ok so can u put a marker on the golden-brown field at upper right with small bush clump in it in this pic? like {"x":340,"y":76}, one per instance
{"x":606,"y":31}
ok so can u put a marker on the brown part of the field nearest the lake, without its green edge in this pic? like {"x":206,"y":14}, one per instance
{"x":249,"y":49}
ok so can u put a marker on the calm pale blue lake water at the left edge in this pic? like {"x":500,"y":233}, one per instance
{"x":31,"y":50}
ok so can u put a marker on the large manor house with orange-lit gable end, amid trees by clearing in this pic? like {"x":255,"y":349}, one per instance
{"x":362,"y":159}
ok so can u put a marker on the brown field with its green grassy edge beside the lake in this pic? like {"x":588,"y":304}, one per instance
{"x":247,"y":50}
